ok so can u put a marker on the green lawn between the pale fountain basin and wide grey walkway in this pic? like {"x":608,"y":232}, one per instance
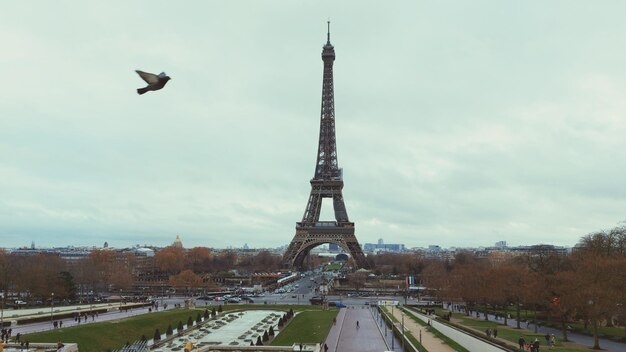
{"x":310,"y":326}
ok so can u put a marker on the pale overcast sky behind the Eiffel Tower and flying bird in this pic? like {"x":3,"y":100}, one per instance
{"x":459,"y":123}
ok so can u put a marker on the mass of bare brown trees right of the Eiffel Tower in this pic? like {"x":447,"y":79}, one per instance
{"x":587,"y":286}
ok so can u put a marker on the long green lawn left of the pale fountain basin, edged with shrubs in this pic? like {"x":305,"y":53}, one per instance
{"x":114,"y":334}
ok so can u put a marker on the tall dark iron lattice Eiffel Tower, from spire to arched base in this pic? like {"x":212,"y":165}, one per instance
{"x":327,"y":183}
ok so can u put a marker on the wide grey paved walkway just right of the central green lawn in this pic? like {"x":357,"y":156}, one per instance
{"x":346,"y":337}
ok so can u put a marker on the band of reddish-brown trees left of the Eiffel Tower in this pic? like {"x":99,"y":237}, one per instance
{"x":38,"y":276}
